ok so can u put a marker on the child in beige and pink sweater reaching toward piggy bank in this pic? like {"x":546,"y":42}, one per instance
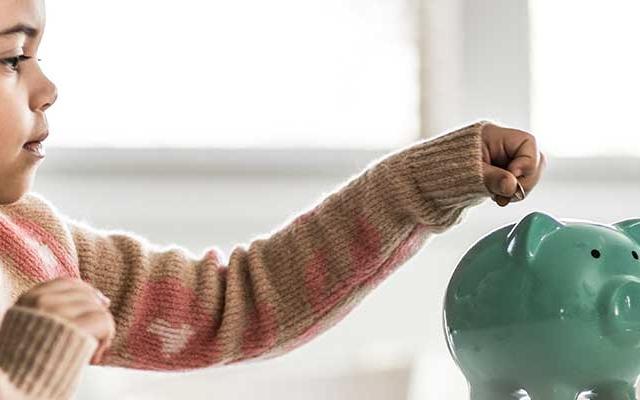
{"x":169,"y":311}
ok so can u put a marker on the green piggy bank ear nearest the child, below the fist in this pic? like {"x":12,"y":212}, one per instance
{"x":523,"y":241}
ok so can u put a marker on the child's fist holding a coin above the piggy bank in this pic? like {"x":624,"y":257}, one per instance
{"x":510,"y":156}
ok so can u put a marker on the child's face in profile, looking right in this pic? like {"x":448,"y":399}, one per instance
{"x":25,"y":94}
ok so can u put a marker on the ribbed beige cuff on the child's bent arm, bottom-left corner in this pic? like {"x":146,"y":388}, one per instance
{"x":43,"y":355}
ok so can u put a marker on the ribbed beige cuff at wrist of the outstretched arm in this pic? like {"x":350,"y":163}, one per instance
{"x":440,"y":177}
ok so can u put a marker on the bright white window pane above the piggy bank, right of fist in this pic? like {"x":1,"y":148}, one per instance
{"x":586,"y":76}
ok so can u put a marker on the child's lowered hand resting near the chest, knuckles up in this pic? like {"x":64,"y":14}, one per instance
{"x":78,"y":302}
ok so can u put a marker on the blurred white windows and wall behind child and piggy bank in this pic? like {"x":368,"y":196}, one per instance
{"x":207,"y":124}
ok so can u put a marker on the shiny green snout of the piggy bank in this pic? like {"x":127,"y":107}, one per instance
{"x":620,"y":299}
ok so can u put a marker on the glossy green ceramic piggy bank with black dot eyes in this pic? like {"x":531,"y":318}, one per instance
{"x":548,"y":309}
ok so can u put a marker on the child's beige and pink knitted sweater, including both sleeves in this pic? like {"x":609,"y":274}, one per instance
{"x":176,"y":312}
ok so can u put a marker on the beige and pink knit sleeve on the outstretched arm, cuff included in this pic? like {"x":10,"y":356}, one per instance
{"x":175,"y":311}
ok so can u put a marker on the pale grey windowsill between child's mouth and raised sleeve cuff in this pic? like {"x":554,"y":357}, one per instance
{"x":207,"y":161}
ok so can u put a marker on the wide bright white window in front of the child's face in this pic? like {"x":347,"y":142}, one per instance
{"x":331,"y":73}
